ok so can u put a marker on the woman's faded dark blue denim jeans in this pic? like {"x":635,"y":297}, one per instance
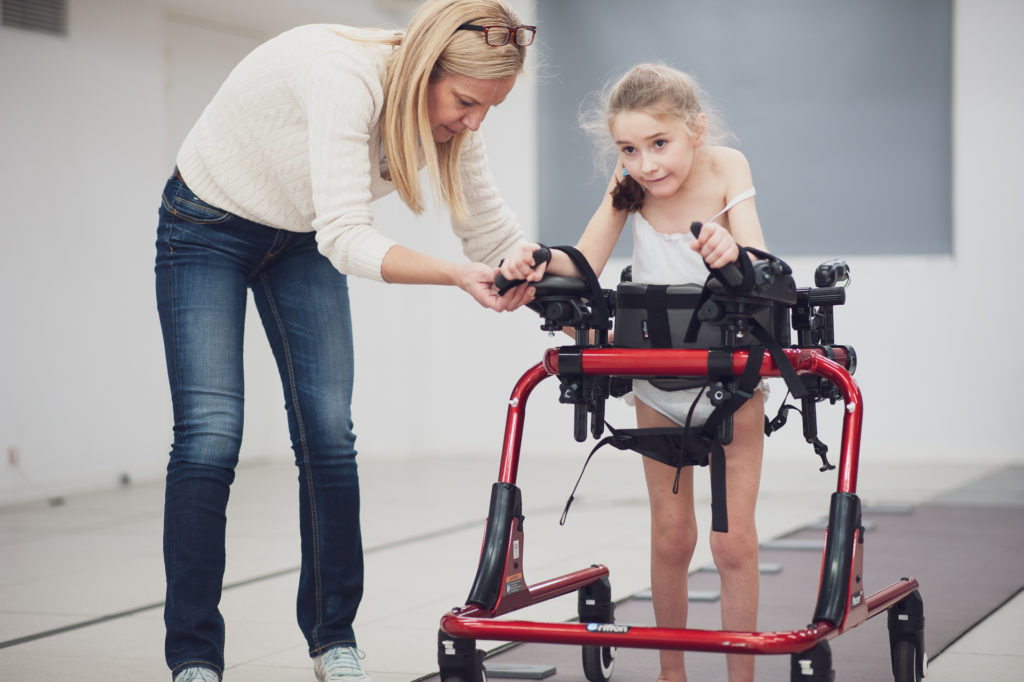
{"x":206,"y":262}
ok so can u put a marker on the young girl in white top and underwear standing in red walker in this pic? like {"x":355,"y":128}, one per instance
{"x":668,"y":177}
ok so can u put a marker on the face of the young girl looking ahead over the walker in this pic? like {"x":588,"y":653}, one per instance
{"x":658,"y":152}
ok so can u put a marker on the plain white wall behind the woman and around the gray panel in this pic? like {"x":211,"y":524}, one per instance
{"x":88,"y":133}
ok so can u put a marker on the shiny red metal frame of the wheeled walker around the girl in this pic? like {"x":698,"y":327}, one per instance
{"x":842,"y":605}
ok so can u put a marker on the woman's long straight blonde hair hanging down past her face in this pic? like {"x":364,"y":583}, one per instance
{"x":432,"y":49}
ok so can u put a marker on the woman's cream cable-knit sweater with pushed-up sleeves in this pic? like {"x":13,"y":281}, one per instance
{"x":292,"y":141}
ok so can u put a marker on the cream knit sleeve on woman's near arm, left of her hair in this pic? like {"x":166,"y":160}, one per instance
{"x":344,"y":101}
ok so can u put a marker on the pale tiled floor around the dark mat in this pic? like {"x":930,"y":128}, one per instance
{"x":81,"y":584}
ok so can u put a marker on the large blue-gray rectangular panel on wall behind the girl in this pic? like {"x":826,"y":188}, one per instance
{"x":842,"y":108}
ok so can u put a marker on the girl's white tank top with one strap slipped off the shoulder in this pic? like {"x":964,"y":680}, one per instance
{"x":668,"y":259}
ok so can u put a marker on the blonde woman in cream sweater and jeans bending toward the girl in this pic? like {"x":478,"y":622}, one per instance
{"x":272,"y":193}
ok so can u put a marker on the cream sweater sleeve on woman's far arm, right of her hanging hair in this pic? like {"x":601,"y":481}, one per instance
{"x":490,"y":230}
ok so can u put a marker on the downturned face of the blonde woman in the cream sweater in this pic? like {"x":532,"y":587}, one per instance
{"x":456,"y":104}
